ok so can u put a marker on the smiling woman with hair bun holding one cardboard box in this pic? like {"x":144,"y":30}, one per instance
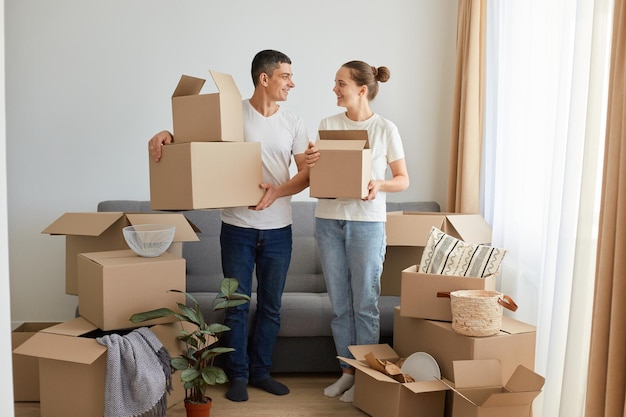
{"x":351,"y":232}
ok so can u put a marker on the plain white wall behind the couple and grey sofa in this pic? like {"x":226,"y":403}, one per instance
{"x":89,"y":82}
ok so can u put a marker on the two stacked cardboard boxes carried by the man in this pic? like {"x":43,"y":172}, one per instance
{"x":209,"y":165}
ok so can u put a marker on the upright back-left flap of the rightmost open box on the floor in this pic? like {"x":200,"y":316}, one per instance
{"x":477,"y":373}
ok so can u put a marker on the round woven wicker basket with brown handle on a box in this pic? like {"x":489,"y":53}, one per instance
{"x":478,"y":312}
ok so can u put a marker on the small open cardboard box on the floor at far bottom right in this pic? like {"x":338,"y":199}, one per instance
{"x":479,"y":390}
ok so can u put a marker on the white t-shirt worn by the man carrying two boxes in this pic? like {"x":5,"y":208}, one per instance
{"x":282,"y":135}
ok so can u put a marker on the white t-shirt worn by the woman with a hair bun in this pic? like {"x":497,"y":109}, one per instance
{"x":386,"y":147}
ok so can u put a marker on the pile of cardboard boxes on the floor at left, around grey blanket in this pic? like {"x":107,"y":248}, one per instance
{"x":67,"y":365}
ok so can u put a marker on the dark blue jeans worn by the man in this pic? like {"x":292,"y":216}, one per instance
{"x":243,"y":251}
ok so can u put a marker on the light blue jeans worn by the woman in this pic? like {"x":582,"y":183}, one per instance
{"x":352,"y":255}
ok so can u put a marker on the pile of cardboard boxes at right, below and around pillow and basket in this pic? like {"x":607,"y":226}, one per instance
{"x":481,"y":376}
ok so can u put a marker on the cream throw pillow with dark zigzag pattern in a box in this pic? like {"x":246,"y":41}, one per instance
{"x":447,"y":255}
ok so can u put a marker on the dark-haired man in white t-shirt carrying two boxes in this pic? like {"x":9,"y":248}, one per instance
{"x":260,"y":237}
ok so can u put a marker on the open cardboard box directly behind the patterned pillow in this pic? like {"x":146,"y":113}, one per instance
{"x":407,"y":234}
